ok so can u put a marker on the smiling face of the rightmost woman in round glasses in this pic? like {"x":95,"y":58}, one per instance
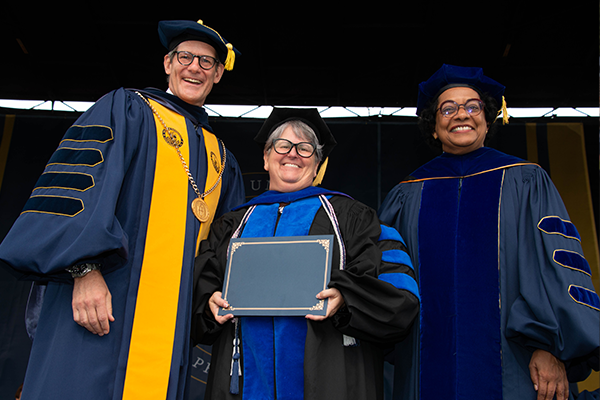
{"x":462,"y":133}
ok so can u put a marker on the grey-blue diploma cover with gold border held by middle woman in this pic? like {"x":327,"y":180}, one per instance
{"x":277,"y":276}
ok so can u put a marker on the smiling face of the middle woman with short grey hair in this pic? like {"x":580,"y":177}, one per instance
{"x":290,"y":172}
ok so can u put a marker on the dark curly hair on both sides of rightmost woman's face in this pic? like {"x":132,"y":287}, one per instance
{"x":427,"y":120}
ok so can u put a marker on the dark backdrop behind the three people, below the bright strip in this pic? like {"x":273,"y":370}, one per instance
{"x":371,"y":157}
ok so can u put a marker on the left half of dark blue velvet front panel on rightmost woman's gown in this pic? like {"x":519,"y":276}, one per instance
{"x":438,"y":370}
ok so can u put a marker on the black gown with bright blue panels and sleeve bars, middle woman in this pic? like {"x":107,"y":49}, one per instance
{"x":292,"y":357}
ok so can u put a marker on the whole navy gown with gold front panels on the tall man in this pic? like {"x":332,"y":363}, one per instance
{"x":116,"y":193}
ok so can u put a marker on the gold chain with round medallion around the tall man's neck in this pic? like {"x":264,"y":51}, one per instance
{"x":174,"y":139}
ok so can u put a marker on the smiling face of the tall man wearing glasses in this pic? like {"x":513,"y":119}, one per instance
{"x":191,"y":83}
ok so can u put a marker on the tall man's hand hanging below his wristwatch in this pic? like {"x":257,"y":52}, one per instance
{"x":92,"y":303}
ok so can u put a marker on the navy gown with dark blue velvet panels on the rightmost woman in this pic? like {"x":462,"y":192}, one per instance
{"x":501,"y":273}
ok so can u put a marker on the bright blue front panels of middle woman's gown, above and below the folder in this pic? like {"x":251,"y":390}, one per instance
{"x":273,"y":347}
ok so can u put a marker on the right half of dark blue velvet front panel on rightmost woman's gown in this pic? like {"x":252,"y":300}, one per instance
{"x":480,"y":367}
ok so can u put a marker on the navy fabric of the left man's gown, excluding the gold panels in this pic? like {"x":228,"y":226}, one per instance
{"x":104,"y":219}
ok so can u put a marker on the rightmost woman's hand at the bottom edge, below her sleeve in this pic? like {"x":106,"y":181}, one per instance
{"x":549,"y":376}
